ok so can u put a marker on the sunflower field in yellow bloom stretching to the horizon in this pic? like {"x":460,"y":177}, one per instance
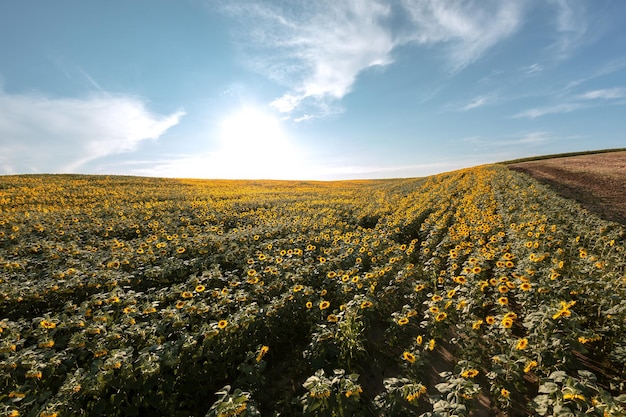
{"x":476,"y":292}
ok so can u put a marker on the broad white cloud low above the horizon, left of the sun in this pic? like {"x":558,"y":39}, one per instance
{"x":41,"y":134}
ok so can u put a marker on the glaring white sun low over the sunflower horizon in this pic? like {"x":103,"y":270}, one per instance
{"x":253,"y":144}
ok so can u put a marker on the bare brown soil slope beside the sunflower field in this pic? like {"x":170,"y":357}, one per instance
{"x":596,"y":181}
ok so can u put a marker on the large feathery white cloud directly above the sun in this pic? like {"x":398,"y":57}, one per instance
{"x":316,"y":48}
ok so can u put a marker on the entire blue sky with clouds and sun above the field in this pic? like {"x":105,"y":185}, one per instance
{"x":325,"y":89}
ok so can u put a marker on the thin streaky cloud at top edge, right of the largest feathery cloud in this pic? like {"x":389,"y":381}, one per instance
{"x":470,"y":28}
